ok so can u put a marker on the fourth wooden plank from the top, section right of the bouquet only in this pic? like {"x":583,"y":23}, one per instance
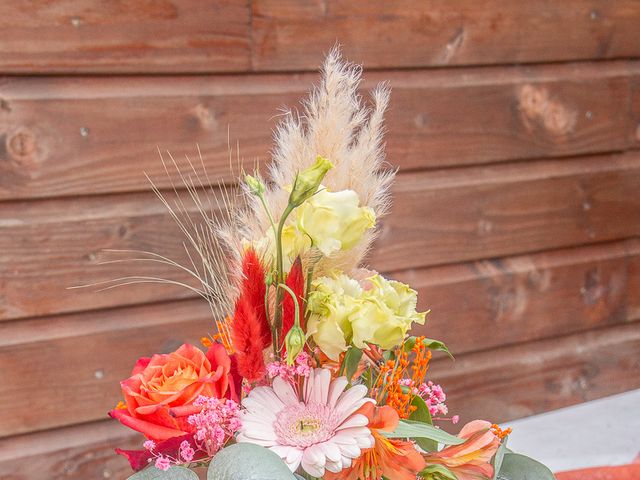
{"x":492,"y":303}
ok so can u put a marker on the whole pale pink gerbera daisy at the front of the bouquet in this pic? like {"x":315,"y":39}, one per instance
{"x":321,"y":431}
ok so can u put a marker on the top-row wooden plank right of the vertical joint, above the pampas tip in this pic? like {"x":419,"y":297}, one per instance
{"x":289,"y":34}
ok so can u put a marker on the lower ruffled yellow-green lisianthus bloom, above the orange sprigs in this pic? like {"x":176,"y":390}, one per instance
{"x":344,"y":312}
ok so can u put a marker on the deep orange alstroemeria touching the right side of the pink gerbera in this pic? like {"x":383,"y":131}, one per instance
{"x":397,"y":459}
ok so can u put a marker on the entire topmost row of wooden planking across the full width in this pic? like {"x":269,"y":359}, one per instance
{"x":224,"y":35}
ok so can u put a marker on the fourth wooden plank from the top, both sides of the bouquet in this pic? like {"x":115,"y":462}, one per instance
{"x":475,"y":307}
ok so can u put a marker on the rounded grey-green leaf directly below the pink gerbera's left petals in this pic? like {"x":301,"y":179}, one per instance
{"x":247,"y":461}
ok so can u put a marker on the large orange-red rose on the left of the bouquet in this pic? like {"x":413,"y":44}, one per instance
{"x":161,"y":390}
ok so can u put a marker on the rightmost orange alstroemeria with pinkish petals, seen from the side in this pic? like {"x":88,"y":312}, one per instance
{"x":471,"y":459}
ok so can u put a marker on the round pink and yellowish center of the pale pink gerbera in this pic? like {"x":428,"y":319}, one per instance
{"x":304,"y":425}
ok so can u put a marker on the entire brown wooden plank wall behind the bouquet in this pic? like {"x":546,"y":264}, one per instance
{"x":516,"y":127}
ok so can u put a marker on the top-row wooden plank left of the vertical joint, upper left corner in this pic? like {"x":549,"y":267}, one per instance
{"x":135,"y":36}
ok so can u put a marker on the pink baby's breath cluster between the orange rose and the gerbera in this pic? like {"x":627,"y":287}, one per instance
{"x":216,"y":423}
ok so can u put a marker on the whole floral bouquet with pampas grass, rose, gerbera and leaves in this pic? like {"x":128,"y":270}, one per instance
{"x":311,"y":371}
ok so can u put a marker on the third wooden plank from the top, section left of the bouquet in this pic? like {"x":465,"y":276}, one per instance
{"x":46,"y":248}
